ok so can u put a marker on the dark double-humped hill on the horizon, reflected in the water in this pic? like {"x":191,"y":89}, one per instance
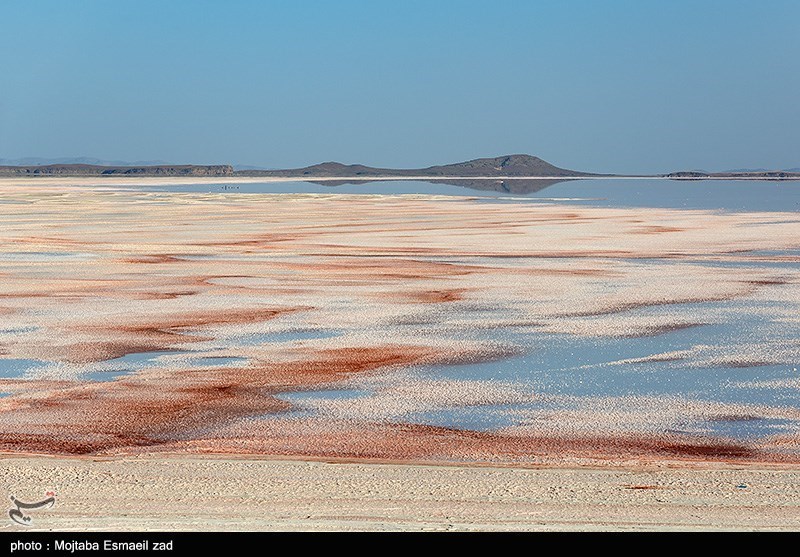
{"x":505,"y":166}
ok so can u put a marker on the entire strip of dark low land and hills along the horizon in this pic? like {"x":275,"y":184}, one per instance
{"x":513,"y":167}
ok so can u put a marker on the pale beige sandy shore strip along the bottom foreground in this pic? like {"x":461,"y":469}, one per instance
{"x":190,"y":493}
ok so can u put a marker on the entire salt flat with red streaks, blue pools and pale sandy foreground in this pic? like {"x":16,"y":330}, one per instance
{"x":223,"y":331}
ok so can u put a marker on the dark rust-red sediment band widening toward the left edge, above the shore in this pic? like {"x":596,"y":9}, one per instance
{"x":148,"y":409}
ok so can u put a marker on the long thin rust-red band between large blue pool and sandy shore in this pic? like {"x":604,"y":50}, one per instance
{"x":421,"y":443}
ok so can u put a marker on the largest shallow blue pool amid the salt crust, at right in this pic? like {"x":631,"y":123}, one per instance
{"x":562,"y":369}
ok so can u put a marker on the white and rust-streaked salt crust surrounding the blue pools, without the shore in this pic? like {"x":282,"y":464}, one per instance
{"x":130,"y":280}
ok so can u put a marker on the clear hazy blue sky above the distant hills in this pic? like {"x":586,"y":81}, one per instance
{"x":627,"y":86}
